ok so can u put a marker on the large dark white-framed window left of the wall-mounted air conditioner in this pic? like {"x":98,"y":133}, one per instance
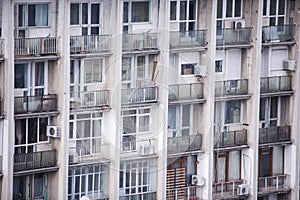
{"x":29,"y":132}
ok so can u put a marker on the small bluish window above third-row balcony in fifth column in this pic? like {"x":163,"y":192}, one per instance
{"x":233,"y":111}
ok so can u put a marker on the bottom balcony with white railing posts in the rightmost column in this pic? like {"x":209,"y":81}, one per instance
{"x":278,"y":183}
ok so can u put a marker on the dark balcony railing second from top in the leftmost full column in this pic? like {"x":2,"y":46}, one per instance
{"x":28,"y":104}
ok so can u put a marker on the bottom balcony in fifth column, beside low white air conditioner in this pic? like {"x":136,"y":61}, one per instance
{"x":226,"y":190}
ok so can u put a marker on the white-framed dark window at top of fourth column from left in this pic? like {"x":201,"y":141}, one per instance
{"x":183,"y":12}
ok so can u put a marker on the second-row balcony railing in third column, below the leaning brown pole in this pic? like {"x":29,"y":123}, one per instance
{"x":139,"y":95}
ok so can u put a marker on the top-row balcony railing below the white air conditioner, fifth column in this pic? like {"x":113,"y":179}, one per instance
{"x":233,"y":36}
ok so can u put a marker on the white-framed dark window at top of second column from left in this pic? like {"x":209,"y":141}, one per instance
{"x":88,"y":16}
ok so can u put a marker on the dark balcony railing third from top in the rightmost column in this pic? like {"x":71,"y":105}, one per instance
{"x":275,"y":134}
